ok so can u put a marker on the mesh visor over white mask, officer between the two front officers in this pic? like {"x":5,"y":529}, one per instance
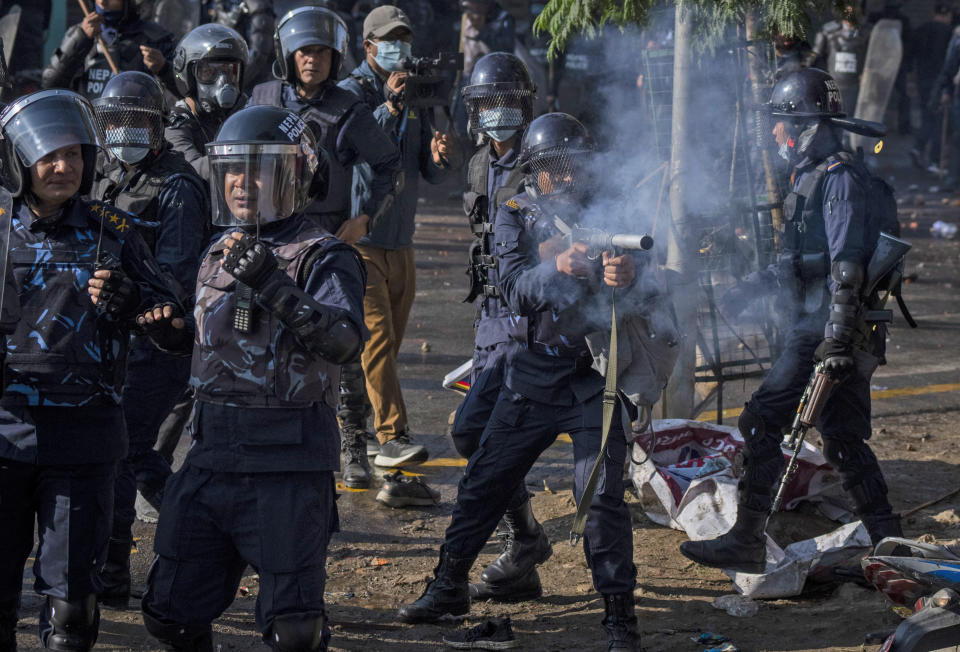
{"x":129,"y":122}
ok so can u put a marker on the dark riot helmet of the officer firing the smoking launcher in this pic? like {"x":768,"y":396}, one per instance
{"x":554,"y":154}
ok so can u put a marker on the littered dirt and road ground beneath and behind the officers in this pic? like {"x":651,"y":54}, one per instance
{"x":383,"y":557}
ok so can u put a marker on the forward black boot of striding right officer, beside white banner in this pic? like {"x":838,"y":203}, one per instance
{"x":742,"y":549}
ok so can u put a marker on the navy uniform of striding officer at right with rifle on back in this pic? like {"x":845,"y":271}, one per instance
{"x":838,"y":227}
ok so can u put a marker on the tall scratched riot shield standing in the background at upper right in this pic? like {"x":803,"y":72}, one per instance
{"x":880,"y":69}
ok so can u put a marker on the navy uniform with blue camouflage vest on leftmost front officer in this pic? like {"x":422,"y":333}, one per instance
{"x":61,"y":425}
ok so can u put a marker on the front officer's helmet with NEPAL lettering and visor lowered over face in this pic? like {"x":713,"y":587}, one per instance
{"x":265,"y":165}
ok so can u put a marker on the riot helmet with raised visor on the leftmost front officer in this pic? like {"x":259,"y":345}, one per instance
{"x":40,"y":123}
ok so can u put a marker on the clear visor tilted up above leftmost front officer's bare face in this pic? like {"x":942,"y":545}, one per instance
{"x":44,"y":122}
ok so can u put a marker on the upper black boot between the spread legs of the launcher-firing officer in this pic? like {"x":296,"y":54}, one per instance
{"x":523,"y":545}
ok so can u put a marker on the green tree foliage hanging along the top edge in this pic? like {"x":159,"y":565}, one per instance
{"x":564,"y":19}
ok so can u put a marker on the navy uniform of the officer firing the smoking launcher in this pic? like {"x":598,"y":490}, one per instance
{"x":549,"y":388}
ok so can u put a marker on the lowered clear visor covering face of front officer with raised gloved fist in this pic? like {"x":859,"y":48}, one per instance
{"x":253,"y":183}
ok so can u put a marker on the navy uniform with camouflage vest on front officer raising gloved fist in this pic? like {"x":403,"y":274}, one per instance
{"x":257,"y":486}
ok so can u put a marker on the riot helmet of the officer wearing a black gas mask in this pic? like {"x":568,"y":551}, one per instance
{"x":208,"y":66}
